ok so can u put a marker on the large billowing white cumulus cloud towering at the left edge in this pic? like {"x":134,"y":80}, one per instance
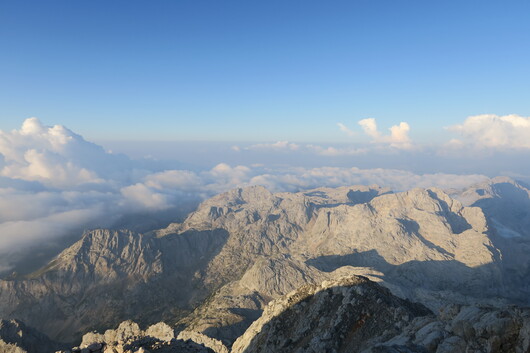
{"x":55,"y":156}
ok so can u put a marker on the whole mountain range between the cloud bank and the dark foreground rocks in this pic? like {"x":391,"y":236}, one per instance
{"x":215,"y":273}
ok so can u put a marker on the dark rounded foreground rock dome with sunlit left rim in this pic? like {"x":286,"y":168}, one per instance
{"x":342,"y":315}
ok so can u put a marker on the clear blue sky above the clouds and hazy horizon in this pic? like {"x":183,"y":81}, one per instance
{"x":260,"y":70}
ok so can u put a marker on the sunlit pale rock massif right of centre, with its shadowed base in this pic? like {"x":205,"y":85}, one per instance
{"x":418,"y":240}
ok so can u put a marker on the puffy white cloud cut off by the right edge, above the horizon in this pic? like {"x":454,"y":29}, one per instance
{"x":493,"y":131}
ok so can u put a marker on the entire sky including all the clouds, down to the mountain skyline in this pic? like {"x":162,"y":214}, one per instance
{"x":204,"y":96}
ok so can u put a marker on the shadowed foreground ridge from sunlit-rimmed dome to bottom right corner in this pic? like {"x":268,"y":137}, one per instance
{"x":355,"y":315}
